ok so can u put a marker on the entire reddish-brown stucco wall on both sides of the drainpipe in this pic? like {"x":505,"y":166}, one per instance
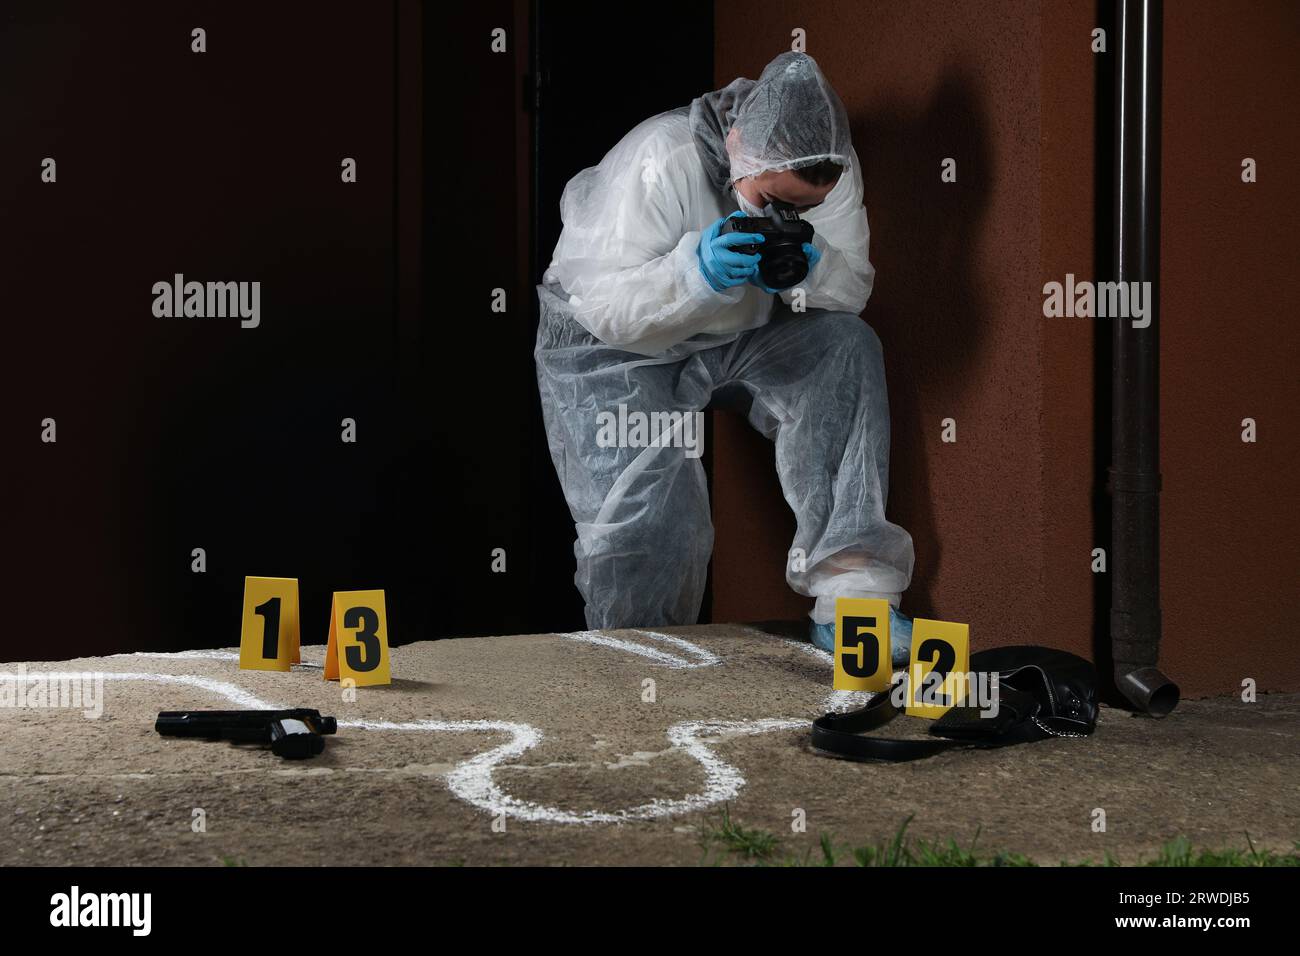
{"x":1006,"y":520}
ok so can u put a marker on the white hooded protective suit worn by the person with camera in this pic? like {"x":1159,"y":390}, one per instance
{"x":629,"y":319}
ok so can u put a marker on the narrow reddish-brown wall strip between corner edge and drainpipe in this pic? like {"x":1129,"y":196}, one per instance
{"x":1076,"y":445}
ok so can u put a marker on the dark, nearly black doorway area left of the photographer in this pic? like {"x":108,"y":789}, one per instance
{"x":179,"y":436}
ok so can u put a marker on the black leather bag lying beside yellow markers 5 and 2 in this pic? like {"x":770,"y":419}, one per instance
{"x":1043,"y":693}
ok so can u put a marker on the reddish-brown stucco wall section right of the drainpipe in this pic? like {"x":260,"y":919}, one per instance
{"x":1230,"y":547}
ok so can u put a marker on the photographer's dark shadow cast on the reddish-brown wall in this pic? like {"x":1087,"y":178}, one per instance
{"x":928,"y":305}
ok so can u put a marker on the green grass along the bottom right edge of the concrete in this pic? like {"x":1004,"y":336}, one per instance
{"x":726,"y":841}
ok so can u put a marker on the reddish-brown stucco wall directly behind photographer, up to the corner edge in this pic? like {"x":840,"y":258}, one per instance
{"x":955,"y":304}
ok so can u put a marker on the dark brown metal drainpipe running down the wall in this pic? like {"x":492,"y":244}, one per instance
{"x":1136,"y":620}
